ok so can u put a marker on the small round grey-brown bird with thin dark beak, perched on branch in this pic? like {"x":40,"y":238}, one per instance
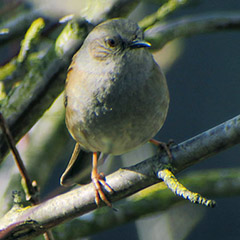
{"x":116,"y":96}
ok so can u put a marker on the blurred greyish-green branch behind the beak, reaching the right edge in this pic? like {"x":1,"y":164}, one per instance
{"x":160,"y":34}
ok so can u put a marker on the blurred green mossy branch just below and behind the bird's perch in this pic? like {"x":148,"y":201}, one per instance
{"x":214,"y":183}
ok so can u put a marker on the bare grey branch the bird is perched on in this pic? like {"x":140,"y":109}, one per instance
{"x":125,"y":182}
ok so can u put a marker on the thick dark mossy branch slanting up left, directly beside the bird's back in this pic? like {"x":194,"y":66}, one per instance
{"x":26,"y":103}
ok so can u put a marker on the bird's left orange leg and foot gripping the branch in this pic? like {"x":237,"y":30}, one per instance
{"x":99,"y":181}
